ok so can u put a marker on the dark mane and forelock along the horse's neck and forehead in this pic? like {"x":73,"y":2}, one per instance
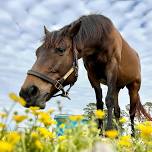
{"x":94,"y":29}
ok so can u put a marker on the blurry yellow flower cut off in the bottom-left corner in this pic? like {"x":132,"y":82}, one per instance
{"x":5,"y":147}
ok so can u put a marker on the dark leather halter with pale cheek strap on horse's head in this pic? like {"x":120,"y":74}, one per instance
{"x":58,"y":84}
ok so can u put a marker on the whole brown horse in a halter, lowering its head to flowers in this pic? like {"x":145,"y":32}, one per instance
{"x":107,"y":57}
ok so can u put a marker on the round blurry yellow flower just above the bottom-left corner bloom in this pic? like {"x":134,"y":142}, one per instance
{"x":13,"y":137}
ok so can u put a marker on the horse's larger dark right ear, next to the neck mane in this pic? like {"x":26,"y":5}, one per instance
{"x":74,"y":28}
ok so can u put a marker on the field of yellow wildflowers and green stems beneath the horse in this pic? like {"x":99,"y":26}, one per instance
{"x":39,"y":133}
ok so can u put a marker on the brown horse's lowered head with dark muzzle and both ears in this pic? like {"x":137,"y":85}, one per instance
{"x":55,"y":58}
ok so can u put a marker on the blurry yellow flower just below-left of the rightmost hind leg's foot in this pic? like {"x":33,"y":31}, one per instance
{"x":125,"y":141}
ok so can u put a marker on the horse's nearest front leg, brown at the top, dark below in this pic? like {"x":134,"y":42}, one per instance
{"x":111,"y":73}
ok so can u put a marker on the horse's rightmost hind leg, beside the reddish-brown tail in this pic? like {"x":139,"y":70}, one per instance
{"x":134,"y":99}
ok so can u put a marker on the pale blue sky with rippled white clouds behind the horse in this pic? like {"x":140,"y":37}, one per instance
{"x":21,"y":32}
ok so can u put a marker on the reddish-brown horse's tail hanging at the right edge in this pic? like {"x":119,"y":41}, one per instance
{"x":141,"y":110}
